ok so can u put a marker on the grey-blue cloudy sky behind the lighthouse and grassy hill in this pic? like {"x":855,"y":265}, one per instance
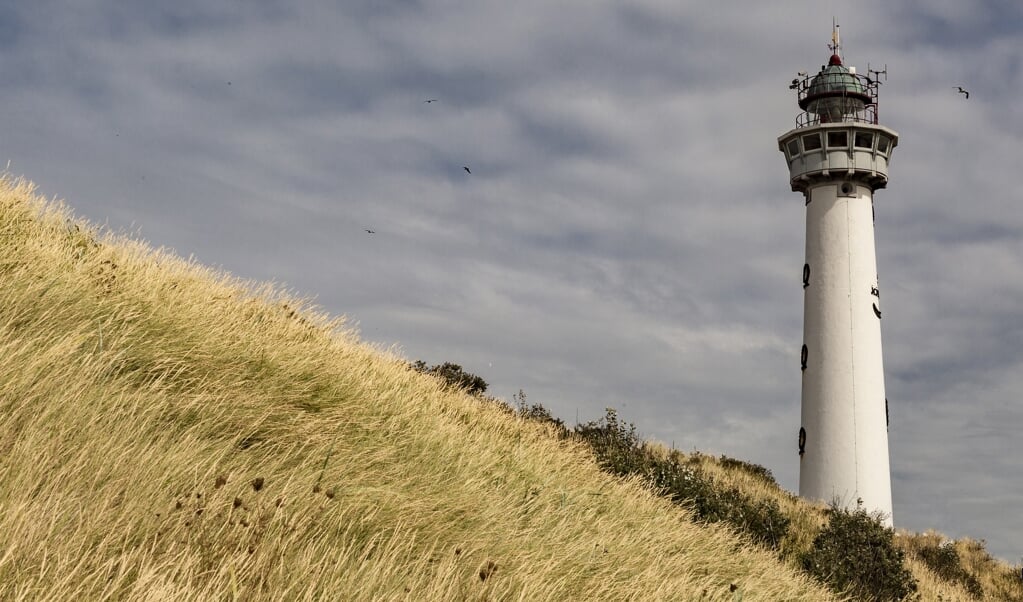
{"x":628,"y":237}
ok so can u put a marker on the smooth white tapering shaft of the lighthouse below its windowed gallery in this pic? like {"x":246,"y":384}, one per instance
{"x":846,"y":456}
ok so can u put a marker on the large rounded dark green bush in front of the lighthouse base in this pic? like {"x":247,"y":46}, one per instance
{"x":856,"y":554}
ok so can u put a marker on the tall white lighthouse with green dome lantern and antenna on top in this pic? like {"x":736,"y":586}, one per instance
{"x":838,"y":156}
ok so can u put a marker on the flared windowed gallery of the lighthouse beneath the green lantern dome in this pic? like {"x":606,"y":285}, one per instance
{"x":838,"y":151}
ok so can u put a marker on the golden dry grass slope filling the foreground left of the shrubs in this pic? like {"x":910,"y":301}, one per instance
{"x":169,"y":433}
